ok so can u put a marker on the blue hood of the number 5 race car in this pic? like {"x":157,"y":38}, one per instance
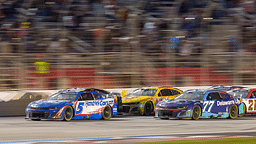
{"x":48,"y":104}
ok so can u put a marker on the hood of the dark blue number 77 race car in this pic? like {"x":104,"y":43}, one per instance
{"x":174,"y":103}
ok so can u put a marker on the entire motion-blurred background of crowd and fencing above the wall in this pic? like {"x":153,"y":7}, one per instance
{"x":56,"y":44}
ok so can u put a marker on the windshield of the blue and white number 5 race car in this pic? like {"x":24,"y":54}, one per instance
{"x":63,"y":96}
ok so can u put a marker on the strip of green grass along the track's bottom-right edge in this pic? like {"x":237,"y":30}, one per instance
{"x":244,"y":140}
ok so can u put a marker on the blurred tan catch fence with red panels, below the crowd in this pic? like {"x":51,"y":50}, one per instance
{"x":124,"y":70}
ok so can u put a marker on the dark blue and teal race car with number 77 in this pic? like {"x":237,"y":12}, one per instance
{"x":197,"y":104}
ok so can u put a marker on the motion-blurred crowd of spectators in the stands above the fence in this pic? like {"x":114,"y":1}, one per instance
{"x":153,"y":27}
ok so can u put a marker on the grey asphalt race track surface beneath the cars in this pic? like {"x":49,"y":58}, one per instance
{"x":120,"y":128}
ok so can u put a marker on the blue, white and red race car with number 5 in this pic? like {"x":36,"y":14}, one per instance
{"x":73,"y":104}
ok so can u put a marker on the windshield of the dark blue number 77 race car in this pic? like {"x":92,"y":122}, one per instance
{"x":191,"y":96}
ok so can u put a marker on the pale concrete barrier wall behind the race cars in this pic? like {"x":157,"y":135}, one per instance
{"x":14,"y":103}
